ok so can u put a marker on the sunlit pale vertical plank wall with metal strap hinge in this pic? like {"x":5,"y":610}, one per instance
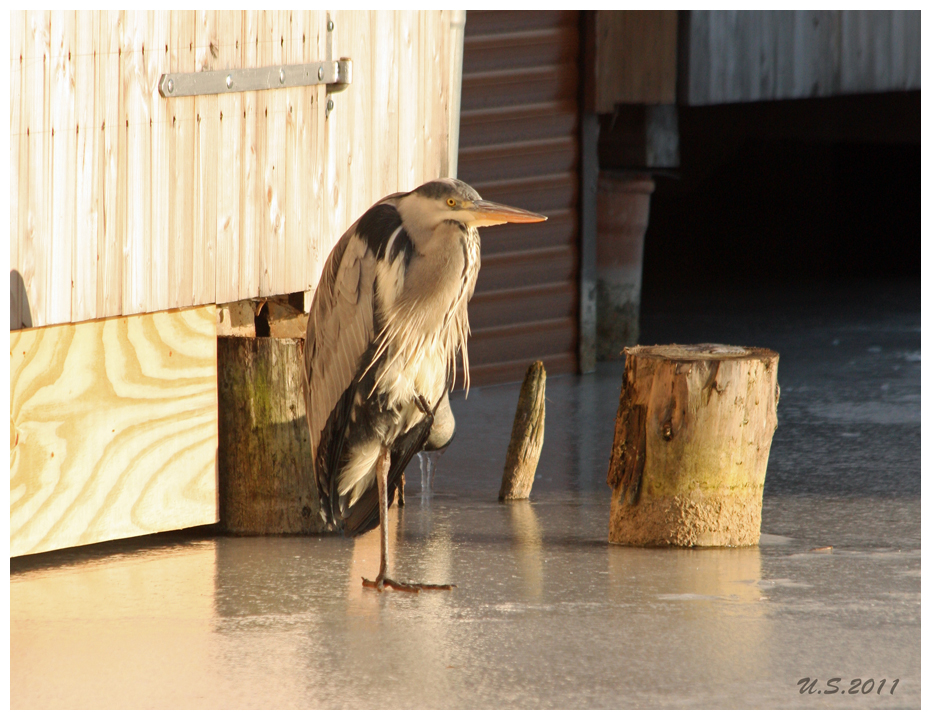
{"x":123,"y":202}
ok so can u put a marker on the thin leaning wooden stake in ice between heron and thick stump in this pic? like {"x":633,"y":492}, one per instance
{"x":520,"y":465}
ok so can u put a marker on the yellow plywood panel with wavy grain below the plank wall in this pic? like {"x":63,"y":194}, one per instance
{"x":113,"y":429}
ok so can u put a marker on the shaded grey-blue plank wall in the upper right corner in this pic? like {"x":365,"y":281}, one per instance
{"x":739,"y":56}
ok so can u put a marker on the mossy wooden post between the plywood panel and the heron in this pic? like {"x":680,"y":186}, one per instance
{"x":265,"y":472}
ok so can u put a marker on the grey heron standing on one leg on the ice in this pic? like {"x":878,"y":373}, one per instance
{"x":387,"y":322}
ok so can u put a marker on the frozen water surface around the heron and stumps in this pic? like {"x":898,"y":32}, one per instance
{"x":546,"y":614}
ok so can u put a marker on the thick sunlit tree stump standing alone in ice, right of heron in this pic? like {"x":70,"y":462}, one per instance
{"x":691,"y":444}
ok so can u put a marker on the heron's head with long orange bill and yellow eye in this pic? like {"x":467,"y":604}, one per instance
{"x":449,"y":199}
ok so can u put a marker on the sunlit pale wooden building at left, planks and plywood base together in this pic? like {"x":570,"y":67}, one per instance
{"x":133,"y":216}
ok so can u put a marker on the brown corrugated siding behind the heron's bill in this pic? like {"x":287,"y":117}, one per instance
{"x":518,"y":144}
